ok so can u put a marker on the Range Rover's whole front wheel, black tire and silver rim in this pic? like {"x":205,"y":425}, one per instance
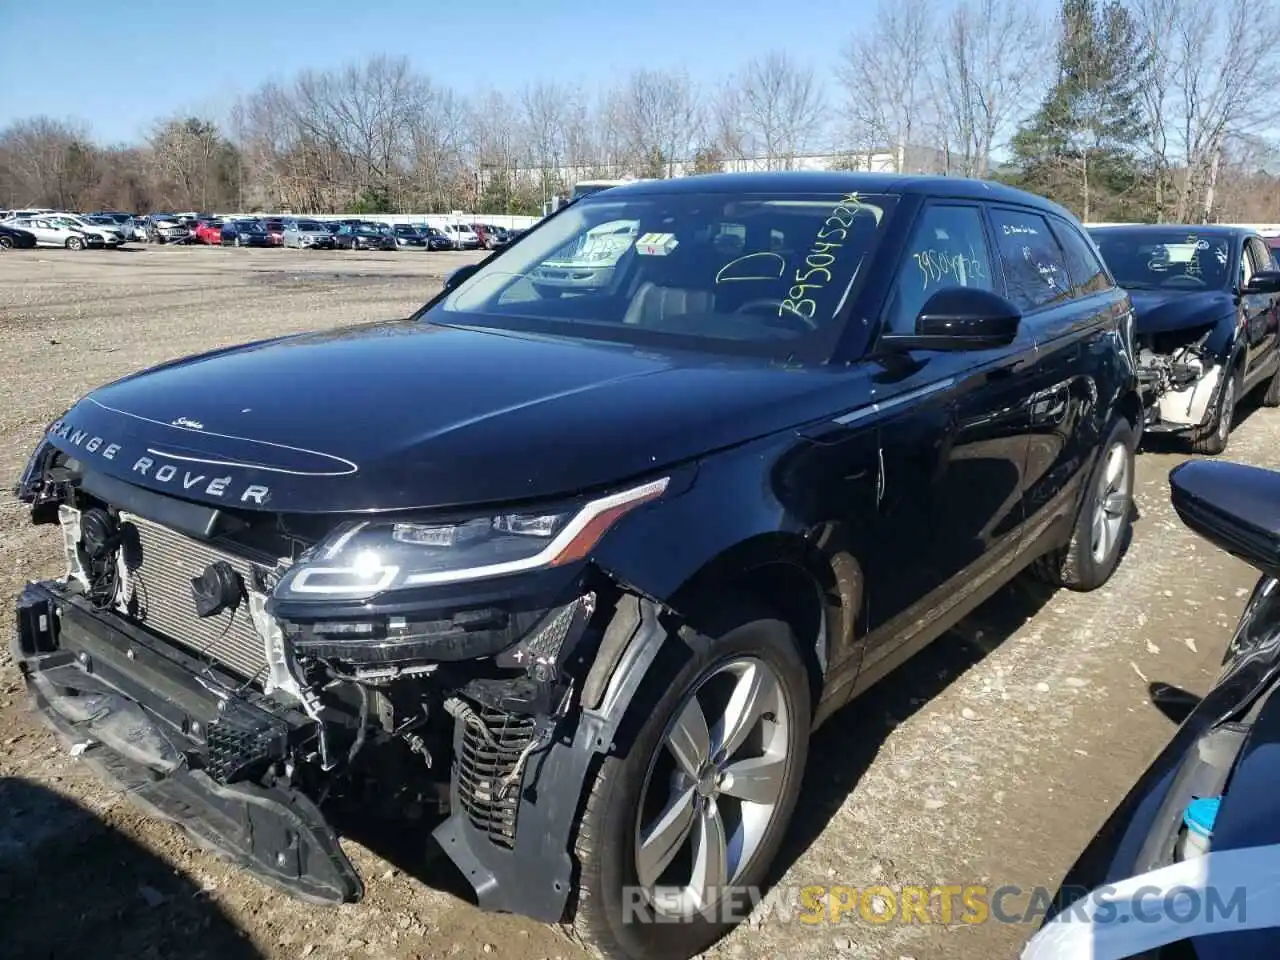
{"x":682,"y":826}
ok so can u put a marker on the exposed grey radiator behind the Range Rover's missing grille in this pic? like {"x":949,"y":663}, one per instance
{"x":162,"y":577}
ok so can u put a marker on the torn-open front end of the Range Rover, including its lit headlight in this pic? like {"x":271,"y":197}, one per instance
{"x":244,"y":675}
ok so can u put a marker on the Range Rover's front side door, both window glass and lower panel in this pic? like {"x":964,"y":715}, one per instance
{"x":953,"y":445}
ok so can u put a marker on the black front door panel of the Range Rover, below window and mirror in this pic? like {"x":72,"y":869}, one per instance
{"x":950,"y":496}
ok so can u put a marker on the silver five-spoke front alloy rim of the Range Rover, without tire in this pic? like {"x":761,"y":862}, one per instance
{"x":714,"y":787}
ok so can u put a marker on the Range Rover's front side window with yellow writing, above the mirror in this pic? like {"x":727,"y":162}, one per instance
{"x":949,"y":249}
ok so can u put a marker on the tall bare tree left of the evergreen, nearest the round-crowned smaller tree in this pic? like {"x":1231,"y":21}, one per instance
{"x":886,"y":80}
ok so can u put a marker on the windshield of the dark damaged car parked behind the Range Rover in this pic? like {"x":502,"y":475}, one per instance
{"x":1146,"y":259}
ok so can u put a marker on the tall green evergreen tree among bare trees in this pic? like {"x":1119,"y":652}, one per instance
{"x":1081,"y":148}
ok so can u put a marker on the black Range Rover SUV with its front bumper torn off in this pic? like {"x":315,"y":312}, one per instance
{"x":589,"y":563}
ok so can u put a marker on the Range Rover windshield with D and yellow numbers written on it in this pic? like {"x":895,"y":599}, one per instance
{"x":760,"y":275}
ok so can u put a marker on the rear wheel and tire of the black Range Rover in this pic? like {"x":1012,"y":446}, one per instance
{"x":1087,"y":563}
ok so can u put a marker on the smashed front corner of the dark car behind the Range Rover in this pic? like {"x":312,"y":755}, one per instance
{"x":1180,"y":376}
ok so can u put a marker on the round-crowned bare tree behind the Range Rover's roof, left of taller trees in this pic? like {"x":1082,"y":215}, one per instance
{"x":781,"y":109}
